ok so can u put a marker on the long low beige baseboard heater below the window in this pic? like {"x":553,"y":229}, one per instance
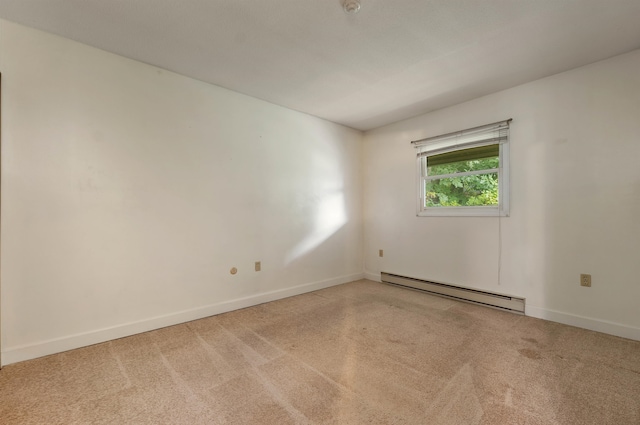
{"x":489,"y":299}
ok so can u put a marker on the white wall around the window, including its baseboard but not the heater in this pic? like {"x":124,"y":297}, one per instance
{"x":575,"y":199}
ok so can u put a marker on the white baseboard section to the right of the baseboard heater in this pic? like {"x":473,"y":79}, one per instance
{"x":603,"y":326}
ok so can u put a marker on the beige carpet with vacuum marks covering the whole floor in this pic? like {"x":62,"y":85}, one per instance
{"x":360,"y":353}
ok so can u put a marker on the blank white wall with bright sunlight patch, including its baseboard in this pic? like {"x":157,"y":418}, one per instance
{"x":128,"y":193}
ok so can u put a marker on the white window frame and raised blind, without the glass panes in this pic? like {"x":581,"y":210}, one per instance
{"x":496,"y":133}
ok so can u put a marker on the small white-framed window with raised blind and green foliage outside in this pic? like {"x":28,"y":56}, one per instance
{"x":465,"y":173}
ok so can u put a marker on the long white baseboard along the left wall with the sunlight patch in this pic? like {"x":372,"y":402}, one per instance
{"x":58,"y":345}
